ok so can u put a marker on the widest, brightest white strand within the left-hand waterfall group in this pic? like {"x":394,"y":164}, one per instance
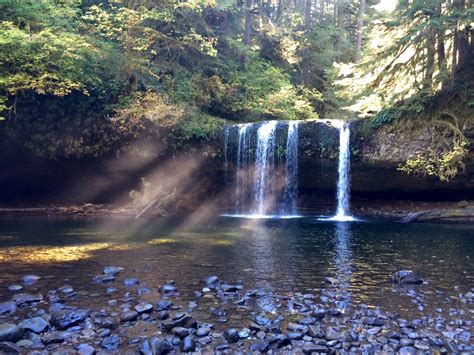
{"x":264,"y":154}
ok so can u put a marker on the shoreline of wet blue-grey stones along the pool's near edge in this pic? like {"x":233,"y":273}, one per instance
{"x":224,"y":318}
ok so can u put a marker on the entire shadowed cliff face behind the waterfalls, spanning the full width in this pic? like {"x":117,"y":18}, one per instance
{"x":197,"y":170}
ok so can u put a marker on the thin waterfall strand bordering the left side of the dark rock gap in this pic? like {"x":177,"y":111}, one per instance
{"x":290,"y":196}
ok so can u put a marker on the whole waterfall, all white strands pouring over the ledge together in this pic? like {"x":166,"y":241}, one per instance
{"x":266,"y":185}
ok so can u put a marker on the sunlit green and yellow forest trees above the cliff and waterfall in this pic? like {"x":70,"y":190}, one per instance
{"x":75,"y":74}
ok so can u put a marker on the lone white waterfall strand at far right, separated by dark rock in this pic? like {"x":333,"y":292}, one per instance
{"x":343,"y":183}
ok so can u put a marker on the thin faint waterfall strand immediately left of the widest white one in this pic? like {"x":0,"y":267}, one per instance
{"x":243,"y":142}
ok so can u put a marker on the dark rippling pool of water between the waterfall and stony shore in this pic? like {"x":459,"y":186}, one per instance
{"x":280,"y":256}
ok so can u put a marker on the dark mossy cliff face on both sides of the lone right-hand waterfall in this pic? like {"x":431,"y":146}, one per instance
{"x":376,"y":155}
